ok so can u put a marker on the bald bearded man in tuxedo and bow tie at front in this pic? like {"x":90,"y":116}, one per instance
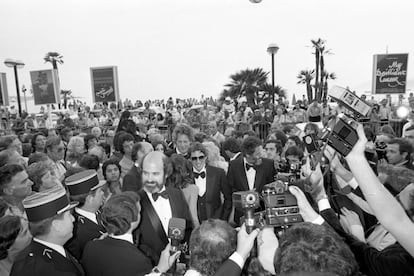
{"x":159,"y":204}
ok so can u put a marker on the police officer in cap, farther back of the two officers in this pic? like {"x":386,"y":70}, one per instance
{"x":85,"y":188}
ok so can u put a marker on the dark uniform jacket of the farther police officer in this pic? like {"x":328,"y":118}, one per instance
{"x":84,"y":230}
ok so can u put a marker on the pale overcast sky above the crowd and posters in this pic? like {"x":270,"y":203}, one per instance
{"x":185,"y":48}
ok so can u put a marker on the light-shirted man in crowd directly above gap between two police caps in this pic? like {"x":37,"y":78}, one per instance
{"x":56,"y":152}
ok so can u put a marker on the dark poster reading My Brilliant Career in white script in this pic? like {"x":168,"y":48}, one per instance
{"x":389,"y":74}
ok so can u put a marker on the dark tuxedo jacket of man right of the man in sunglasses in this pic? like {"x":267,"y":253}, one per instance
{"x":237,"y":179}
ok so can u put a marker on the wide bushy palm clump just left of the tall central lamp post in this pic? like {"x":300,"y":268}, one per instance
{"x":246,"y":83}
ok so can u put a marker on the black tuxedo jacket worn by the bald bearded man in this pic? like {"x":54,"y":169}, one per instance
{"x":150,"y":234}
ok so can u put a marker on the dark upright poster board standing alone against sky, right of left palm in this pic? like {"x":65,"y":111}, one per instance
{"x":104,"y":84}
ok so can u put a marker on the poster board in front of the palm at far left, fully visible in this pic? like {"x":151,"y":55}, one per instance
{"x":45,"y":87}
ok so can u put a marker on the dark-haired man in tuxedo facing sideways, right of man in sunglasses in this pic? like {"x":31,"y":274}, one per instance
{"x":251,"y":171}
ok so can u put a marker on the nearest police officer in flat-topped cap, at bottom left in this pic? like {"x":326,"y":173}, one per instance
{"x":51,"y":224}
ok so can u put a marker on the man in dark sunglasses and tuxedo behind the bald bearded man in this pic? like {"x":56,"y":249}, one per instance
{"x":211,"y":182}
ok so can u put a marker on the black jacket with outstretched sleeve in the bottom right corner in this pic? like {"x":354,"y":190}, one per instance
{"x":393,"y":260}
